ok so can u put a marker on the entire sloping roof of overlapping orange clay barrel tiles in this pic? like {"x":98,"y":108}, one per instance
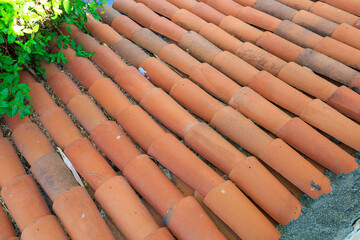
{"x":192,"y":120}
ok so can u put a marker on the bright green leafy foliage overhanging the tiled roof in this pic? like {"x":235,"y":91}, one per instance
{"x":26,"y":29}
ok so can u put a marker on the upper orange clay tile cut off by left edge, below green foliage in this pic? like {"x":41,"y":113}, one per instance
{"x":11,"y":166}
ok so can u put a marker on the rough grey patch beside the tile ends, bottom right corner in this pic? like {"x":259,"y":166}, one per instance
{"x":331,"y":216}
